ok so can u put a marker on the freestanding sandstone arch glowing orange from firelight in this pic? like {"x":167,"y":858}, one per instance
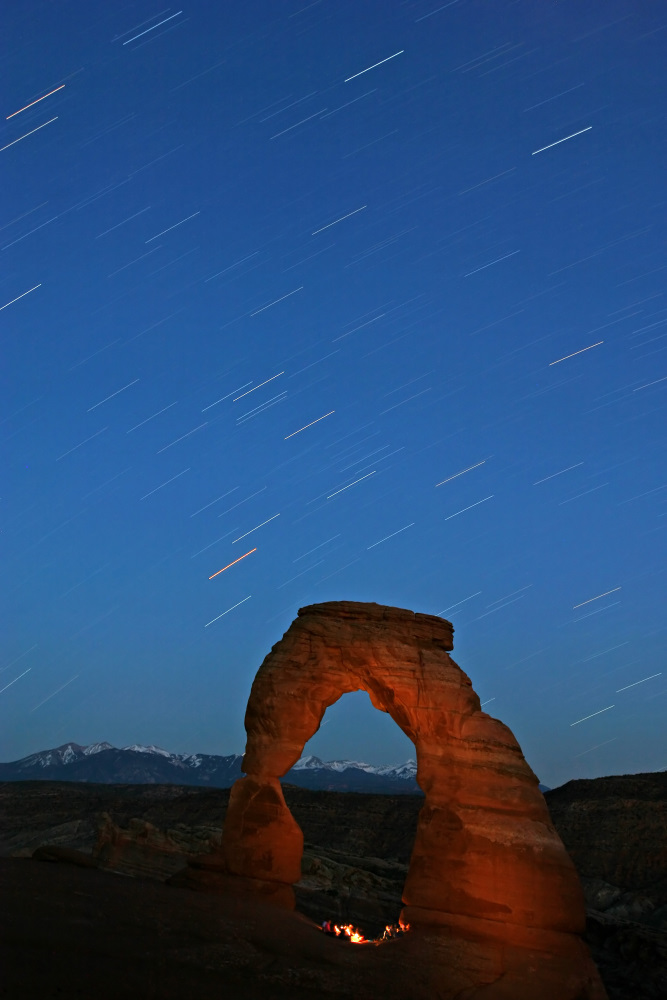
{"x":488,"y":869}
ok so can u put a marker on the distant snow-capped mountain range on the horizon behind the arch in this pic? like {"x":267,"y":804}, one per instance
{"x":104,"y":764}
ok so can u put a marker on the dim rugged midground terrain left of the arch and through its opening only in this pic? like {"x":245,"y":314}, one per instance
{"x":354,"y":865}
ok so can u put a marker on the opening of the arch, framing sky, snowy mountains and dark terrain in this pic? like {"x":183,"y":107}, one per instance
{"x":356,"y":855}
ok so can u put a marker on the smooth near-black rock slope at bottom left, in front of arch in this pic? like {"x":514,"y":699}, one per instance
{"x":70,"y":932}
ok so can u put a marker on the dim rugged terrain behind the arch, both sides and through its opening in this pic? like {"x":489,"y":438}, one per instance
{"x":358,"y":848}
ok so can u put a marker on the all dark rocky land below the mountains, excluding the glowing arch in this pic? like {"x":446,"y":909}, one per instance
{"x":68,"y":931}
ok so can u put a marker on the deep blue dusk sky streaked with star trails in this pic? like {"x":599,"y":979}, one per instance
{"x":363,"y":301}
